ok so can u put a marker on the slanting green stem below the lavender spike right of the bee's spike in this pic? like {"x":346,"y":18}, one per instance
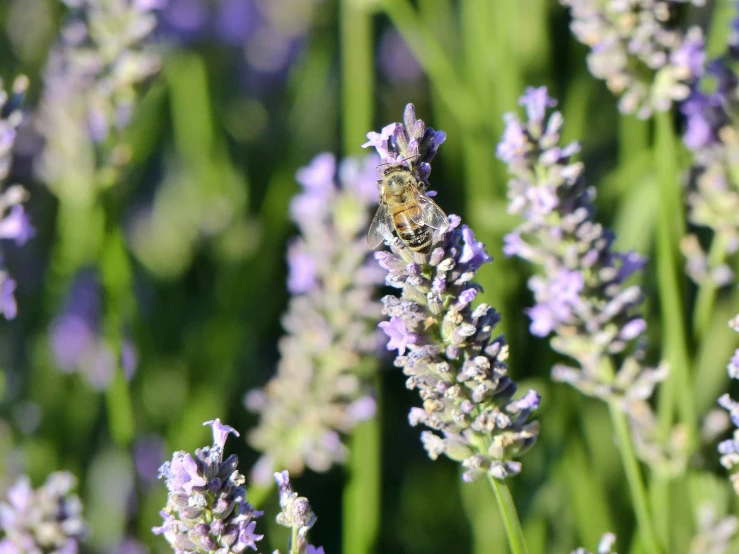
{"x":634,"y":478}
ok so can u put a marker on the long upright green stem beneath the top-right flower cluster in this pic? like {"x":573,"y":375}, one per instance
{"x":669,"y":232}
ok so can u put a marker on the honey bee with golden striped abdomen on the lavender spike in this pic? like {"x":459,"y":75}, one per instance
{"x":405,"y":208}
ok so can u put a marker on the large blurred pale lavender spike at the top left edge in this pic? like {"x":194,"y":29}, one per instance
{"x":90,"y":91}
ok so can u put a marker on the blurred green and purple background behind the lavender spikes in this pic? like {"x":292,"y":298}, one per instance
{"x":197,"y":251}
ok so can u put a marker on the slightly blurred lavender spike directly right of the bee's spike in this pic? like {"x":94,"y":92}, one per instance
{"x":581,"y":291}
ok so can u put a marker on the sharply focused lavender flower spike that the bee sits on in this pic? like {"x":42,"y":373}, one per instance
{"x":445,"y":345}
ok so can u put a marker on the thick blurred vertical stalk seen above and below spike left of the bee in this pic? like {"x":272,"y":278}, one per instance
{"x":361,"y":501}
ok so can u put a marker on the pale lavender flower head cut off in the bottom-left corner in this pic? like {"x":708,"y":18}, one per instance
{"x":47,"y":520}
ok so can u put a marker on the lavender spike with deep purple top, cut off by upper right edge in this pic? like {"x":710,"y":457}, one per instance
{"x":711,"y":117}
